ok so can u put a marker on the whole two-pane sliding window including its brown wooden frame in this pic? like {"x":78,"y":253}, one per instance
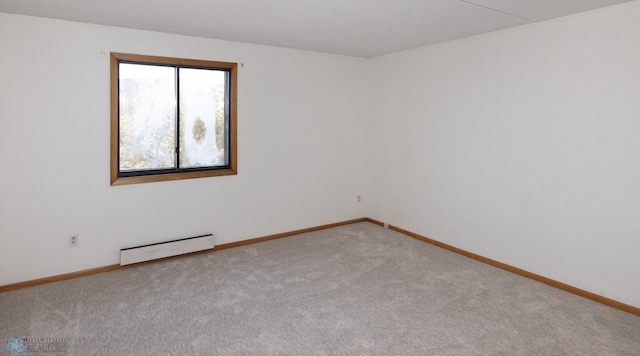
{"x":171,"y":118}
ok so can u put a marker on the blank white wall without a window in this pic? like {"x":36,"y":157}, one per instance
{"x":521,"y":145}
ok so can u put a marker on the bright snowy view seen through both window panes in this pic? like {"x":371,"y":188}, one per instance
{"x":152,"y":119}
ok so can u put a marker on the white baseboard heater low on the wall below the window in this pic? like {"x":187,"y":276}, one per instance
{"x":159,"y":250}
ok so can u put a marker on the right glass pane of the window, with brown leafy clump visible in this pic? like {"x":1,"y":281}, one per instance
{"x":202,"y":118}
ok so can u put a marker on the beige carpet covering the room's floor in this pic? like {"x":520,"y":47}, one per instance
{"x":352,"y":290}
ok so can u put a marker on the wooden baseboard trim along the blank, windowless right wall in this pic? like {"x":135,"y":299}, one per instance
{"x":550,"y":282}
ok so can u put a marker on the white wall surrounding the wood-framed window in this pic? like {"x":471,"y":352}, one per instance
{"x":300,"y":147}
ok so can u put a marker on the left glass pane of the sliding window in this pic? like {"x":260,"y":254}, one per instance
{"x":147,"y":107}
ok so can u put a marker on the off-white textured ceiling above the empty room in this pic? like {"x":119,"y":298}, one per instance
{"x":363,"y":28}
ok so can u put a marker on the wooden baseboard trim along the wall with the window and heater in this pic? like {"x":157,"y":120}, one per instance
{"x":88,"y":272}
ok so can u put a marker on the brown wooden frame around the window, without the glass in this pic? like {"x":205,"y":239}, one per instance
{"x":231,"y":169}
